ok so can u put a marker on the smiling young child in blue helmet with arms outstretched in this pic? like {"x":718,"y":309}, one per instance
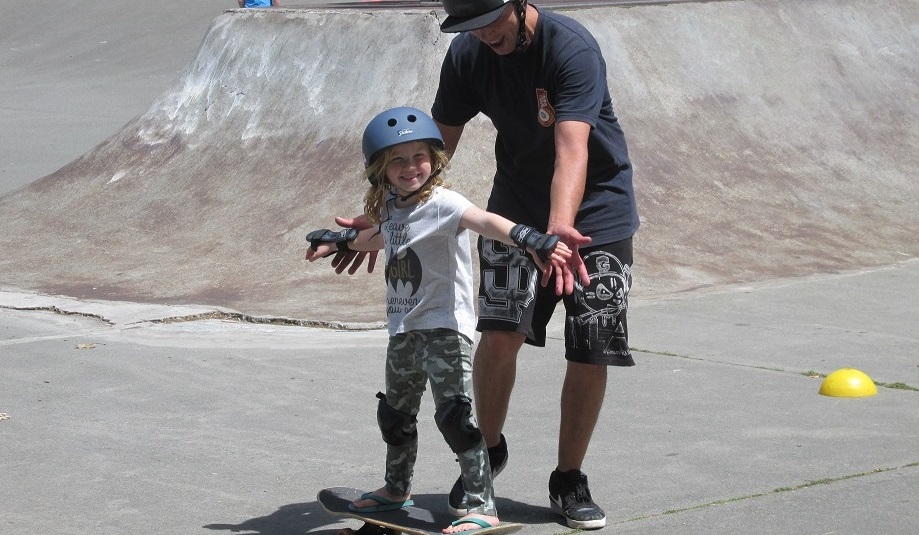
{"x":424,"y":229}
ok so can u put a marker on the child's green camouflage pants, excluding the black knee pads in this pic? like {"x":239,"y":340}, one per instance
{"x":442,"y":357}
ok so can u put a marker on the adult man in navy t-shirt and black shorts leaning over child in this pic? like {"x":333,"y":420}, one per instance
{"x":563,"y":166}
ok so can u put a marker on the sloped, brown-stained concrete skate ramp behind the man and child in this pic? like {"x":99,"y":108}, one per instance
{"x":771,"y":139}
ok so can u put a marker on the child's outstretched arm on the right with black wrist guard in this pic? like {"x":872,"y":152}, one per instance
{"x":549,"y":253}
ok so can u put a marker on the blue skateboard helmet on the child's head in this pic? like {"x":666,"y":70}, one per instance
{"x":395,"y":126}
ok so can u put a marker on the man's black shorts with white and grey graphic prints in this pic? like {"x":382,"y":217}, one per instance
{"x":596,"y":331}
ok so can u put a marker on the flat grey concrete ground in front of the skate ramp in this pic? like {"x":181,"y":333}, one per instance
{"x":121,"y":423}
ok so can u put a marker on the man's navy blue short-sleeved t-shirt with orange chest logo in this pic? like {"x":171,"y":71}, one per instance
{"x":561,"y":76}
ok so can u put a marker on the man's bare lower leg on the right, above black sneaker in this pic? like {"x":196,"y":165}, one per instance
{"x":582,"y":399}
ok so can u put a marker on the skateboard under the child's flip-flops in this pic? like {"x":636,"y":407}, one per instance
{"x":412,"y":520}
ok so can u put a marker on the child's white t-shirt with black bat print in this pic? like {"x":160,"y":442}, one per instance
{"x":428,"y":265}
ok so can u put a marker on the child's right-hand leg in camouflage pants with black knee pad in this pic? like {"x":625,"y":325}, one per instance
{"x":448,"y":361}
